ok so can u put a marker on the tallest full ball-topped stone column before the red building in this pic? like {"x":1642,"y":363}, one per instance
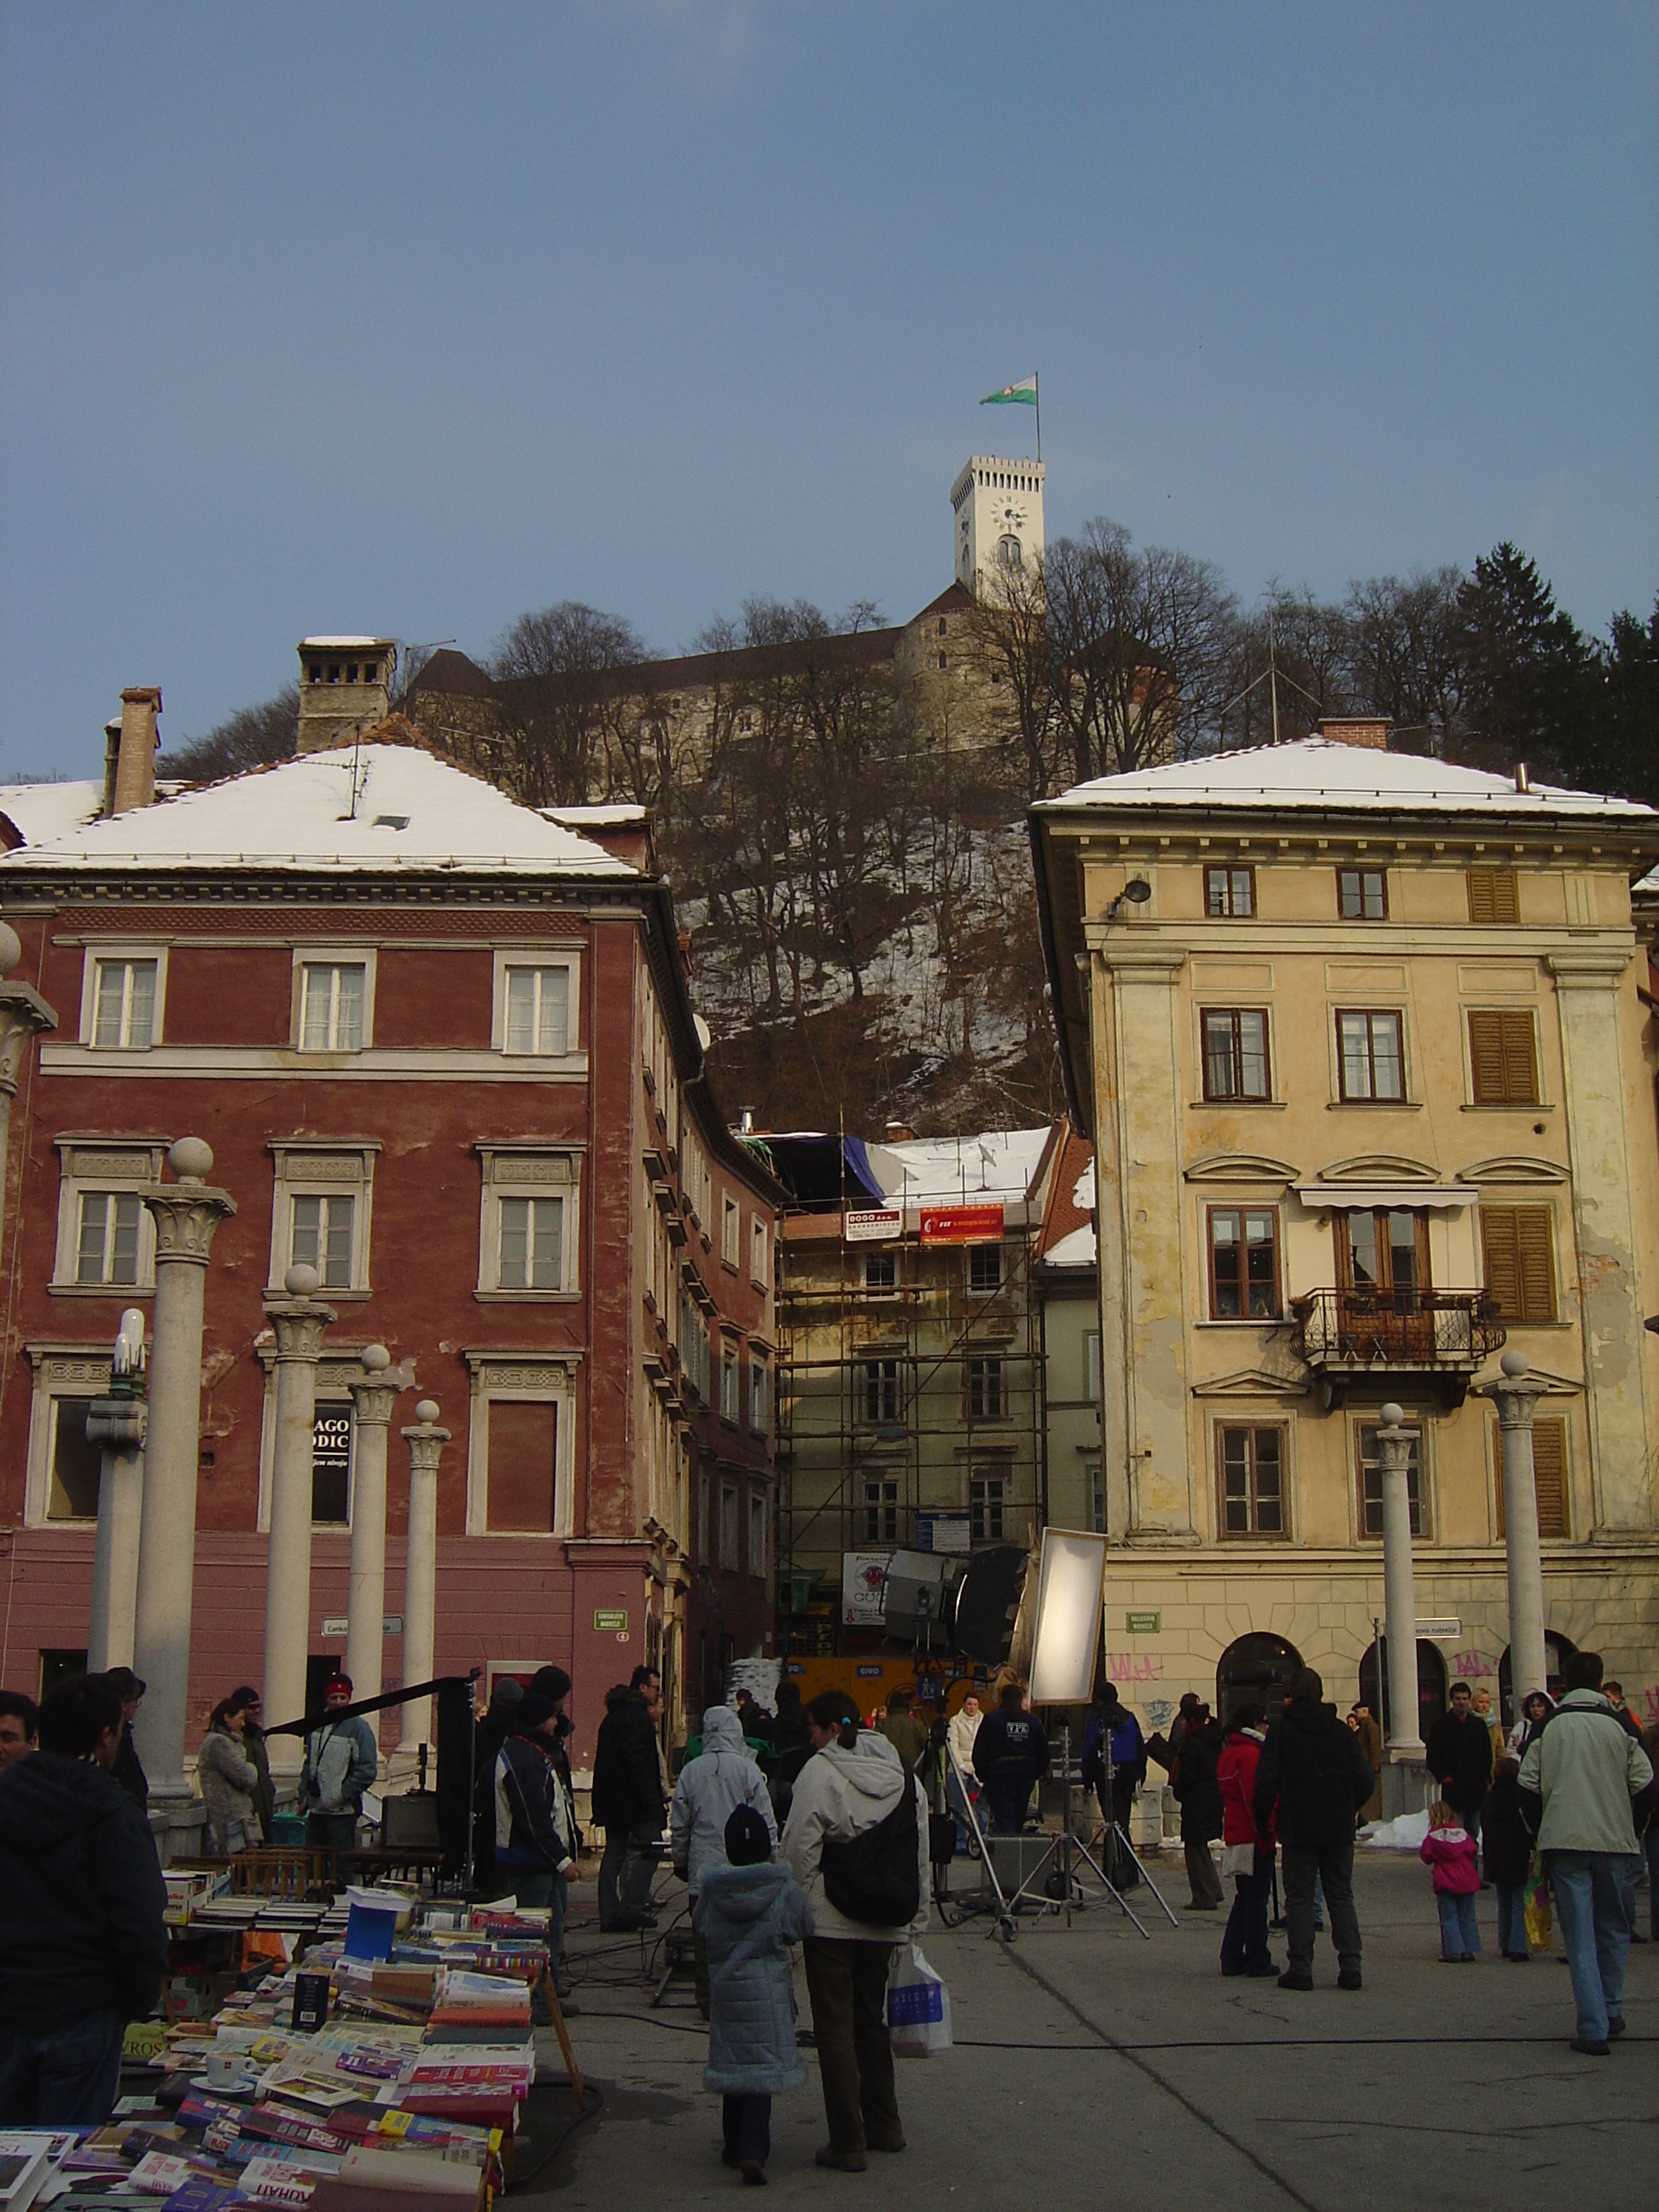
{"x":187,"y":1215}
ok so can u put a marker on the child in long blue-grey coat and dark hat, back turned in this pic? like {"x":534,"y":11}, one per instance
{"x":749,"y":1912}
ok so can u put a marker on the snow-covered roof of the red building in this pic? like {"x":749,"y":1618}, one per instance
{"x":413,"y":815}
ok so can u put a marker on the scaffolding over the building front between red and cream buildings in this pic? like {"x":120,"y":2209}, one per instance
{"x":910,"y":1386}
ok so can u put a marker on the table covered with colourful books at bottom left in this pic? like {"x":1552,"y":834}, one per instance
{"x":377,"y":2067}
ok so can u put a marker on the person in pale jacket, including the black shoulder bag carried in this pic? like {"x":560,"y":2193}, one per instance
{"x":857,"y":1846}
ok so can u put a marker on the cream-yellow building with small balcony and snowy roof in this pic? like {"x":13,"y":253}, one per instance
{"x":1364,"y":1052}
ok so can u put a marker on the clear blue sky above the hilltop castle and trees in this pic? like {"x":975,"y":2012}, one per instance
{"x":408,"y":320}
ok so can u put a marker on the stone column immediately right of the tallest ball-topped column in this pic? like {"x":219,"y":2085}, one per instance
{"x":298,"y":1322}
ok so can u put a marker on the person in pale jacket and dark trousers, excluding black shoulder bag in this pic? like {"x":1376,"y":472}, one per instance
{"x":853,"y":1782}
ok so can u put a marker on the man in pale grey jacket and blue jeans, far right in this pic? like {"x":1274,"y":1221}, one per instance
{"x":1587,"y":1775}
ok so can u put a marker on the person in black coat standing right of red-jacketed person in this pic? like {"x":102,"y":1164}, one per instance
{"x":1311,"y":1782}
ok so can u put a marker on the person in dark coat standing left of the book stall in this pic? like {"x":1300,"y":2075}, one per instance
{"x":83,"y":1948}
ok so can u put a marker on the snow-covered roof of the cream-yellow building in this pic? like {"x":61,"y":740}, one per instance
{"x":1324,"y":775}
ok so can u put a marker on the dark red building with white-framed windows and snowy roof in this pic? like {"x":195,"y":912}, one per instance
{"x":444,"y":1052}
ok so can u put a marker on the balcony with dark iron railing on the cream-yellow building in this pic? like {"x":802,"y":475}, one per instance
{"x":1361,"y":1342}
